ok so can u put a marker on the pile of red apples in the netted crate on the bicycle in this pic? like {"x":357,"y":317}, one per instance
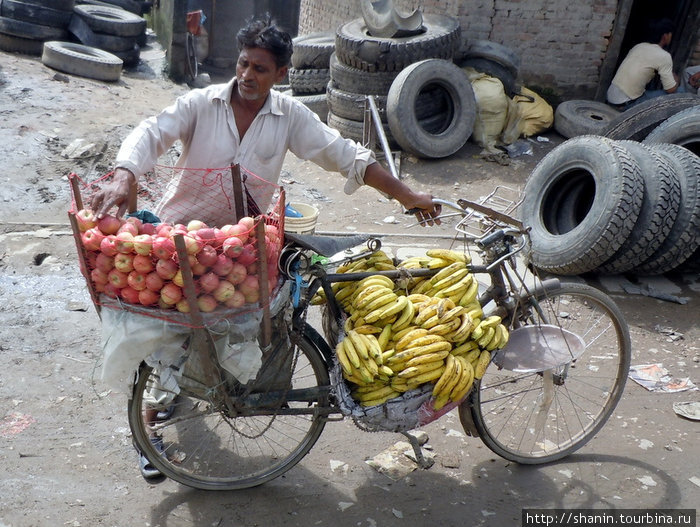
{"x":138,"y":261}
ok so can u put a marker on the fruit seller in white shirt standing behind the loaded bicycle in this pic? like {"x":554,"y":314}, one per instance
{"x":247,"y":123}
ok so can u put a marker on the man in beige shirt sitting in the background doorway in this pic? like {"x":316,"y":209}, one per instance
{"x":643,"y":62}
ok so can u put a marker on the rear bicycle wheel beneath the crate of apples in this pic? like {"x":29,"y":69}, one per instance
{"x":205,"y":448}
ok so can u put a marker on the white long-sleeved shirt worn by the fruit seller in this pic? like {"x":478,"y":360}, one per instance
{"x":203,"y":121}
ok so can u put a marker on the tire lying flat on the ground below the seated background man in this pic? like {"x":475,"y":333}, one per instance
{"x":581,"y":117}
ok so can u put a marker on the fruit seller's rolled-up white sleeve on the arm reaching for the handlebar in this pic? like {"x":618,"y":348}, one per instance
{"x":315,"y":141}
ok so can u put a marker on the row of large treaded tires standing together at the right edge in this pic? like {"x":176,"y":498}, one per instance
{"x":612,"y":206}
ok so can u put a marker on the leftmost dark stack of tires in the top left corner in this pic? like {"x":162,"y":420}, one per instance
{"x":26,"y":24}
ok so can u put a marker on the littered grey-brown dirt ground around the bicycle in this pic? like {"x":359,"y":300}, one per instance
{"x":65,"y":449}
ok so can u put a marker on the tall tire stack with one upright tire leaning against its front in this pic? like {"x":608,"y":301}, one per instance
{"x":422,"y":96}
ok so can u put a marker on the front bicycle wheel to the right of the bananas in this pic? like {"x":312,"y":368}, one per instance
{"x":533,"y":418}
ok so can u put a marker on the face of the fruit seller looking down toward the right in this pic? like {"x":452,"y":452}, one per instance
{"x":257,"y":72}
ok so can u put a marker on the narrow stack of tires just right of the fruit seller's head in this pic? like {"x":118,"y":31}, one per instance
{"x":310,"y":71}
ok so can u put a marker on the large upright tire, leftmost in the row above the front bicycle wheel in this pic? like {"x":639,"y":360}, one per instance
{"x":608,"y":207}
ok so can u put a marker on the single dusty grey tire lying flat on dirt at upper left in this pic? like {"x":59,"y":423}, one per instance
{"x":83,"y":61}
